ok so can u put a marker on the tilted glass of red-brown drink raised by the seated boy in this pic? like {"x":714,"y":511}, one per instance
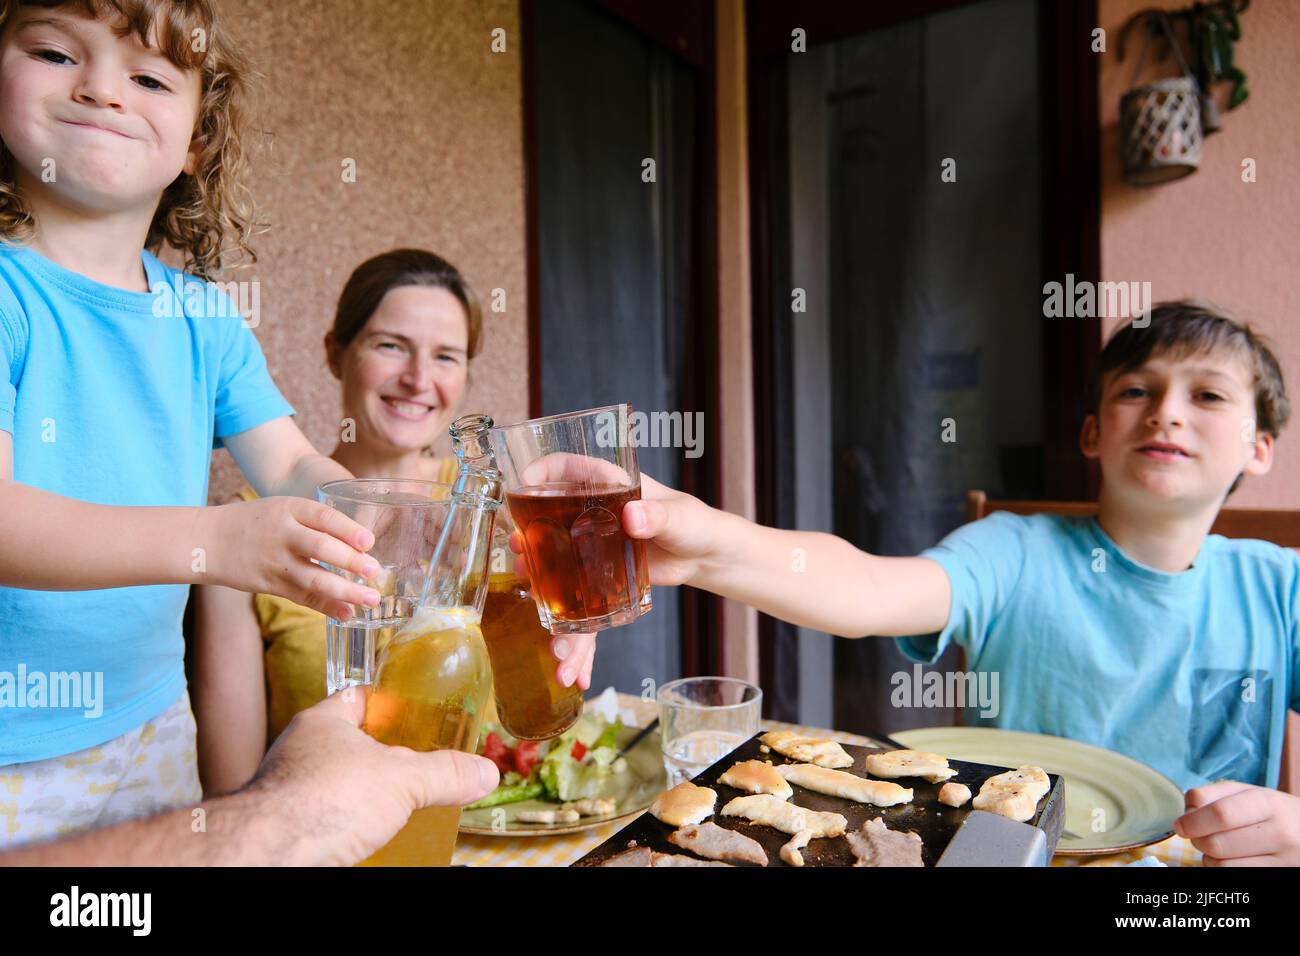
{"x":567,"y":479}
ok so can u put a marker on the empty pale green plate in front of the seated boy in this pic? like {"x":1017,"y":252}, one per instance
{"x":1112,"y":802}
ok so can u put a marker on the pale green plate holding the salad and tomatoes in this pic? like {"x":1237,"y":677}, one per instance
{"x":634,"y":791}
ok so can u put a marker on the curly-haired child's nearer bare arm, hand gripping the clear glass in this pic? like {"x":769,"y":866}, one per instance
{"x":51,"y":543}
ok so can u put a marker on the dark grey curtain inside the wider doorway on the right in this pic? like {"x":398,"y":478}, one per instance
{"x":934,"y":291}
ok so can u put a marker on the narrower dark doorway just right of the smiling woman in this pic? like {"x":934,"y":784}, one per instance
{"x":618,"y":118}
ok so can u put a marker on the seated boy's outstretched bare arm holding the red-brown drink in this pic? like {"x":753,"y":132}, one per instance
{"x":811,"y":579}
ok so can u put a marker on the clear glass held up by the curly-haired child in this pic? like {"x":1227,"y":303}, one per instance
{"x":406,"y":518}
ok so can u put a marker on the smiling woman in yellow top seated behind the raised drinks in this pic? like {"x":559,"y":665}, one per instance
{"x":406,"y":328}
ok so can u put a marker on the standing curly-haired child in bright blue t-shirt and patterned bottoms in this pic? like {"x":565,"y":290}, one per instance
{"x":122,"y":132}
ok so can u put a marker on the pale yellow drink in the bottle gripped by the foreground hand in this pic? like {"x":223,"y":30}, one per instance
{"x":431,"y":691}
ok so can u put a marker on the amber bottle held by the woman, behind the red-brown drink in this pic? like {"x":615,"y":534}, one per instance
{"x":531,"y":702}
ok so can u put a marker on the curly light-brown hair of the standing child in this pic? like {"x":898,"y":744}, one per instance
{"x":207,"y":217}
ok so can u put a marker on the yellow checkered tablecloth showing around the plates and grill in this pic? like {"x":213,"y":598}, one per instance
{"x":566,"y":849}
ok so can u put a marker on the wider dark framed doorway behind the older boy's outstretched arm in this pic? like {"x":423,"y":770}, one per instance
{"x":911,"y":201}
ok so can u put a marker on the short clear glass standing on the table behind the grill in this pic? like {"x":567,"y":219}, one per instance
{"x":704,"y":720}
